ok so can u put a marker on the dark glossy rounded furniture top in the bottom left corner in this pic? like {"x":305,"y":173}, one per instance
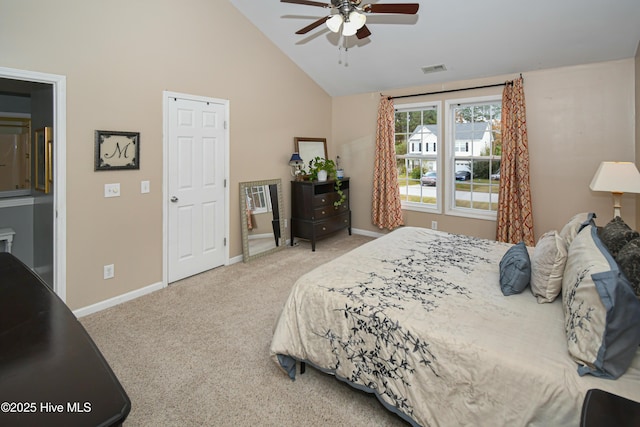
{"x":51,"y":372}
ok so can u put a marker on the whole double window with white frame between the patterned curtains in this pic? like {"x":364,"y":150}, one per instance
{"x":468,"y":180}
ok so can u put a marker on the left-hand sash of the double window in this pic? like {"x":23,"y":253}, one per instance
{"x":417,"y":132}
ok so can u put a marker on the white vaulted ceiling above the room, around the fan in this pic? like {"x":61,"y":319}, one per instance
{"x":471,"y":38}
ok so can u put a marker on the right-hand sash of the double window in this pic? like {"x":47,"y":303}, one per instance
{"x":477,"y":145}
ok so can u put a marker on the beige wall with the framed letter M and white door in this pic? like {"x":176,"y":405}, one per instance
{"x":118,"y":56}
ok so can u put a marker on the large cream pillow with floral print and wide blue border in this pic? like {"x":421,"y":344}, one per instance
{"x":601,"y":311}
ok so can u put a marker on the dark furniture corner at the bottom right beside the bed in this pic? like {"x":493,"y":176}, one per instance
{"x":604,"y":409}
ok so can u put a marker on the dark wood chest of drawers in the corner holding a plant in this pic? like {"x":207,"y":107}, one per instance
{"x":313,"y":214}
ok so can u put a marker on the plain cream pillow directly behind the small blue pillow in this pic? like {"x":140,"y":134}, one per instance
{"x":547,"y":266}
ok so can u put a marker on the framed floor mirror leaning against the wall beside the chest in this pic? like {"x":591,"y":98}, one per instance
{"x":261,"y":220}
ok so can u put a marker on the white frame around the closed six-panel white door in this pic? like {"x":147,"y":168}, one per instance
{"x":166,"y":96}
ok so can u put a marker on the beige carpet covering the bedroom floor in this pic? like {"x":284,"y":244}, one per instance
{"x":197,"y":353}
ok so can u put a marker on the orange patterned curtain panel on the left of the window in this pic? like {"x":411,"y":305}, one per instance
{"x":387,"y":209}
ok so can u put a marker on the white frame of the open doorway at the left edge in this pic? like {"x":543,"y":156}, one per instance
{"x":59,"y":84}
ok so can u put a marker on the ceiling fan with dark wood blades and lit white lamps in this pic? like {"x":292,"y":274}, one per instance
{"x":351,"y":16}
